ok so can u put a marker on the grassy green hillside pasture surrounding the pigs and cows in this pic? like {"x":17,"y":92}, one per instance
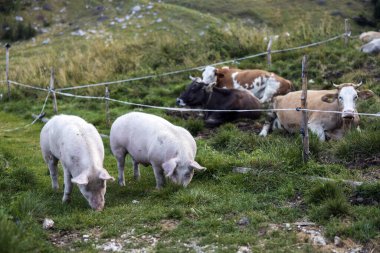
{"x":271,"y":205}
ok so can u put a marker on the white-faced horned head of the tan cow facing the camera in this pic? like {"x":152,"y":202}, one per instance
{"x":347,"y":96}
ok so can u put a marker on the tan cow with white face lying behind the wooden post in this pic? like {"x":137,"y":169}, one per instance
{"x":324,"y":124}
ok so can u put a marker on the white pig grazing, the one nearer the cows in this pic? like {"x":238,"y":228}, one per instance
{"x":150,"y":139}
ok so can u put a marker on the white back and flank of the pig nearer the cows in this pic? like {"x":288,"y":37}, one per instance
{"x":148,"y":137}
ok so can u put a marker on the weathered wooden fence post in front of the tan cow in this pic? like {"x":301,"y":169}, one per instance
{"x":304,"y":121}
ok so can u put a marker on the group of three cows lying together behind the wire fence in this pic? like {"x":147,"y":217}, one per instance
{"x":250,"y":90}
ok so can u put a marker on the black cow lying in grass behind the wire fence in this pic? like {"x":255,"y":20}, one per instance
{"x":199,"y":94}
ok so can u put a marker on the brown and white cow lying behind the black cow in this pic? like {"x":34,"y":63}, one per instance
{"x":263,"y":84}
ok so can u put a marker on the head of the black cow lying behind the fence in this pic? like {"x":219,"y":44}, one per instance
{"x":195,"y":94}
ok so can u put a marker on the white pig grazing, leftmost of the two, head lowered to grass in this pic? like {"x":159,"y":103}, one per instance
{"x":80,"y":148}
